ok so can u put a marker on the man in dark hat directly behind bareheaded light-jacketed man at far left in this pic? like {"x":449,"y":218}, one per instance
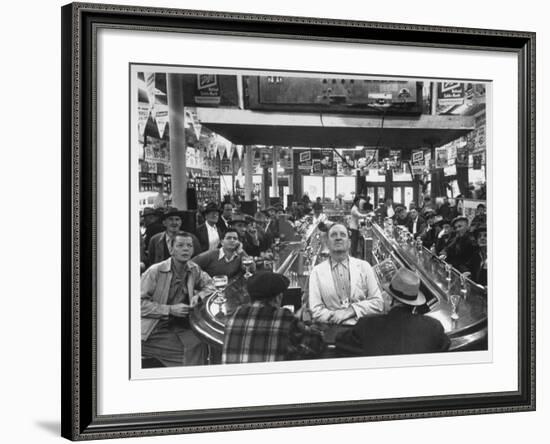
{"x":159,"y":245}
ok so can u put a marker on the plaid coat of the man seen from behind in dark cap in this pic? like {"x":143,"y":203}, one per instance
{"x":261,"y":333}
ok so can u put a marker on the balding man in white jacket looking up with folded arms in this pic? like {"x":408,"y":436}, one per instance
{"x":343,"y":289}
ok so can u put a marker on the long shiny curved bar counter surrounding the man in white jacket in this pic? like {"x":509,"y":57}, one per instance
{"x":387,"y":250}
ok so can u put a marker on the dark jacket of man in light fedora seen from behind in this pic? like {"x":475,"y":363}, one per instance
{"x":398,"y":332}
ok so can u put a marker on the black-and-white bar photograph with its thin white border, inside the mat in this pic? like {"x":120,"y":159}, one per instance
{"x":307,"y":218}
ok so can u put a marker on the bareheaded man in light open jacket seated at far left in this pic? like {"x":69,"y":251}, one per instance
{"x":169,"y":291}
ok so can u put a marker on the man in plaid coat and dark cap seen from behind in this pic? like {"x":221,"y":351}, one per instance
{"x":262,"y":331}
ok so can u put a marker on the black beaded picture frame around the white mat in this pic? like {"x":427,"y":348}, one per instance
{"x":79,"y":172}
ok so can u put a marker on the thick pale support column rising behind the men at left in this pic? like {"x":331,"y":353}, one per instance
{"x":178,"y":148}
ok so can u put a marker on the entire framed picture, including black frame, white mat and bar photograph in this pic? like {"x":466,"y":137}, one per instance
{"x":277,"y":221}
